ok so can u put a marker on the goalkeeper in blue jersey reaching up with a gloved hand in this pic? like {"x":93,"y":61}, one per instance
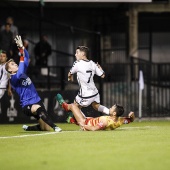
{"x":30,"y":101}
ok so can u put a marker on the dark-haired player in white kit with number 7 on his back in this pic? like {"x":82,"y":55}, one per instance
{"x":86,"y":69}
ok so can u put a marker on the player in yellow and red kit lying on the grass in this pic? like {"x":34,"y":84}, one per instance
{"x":99,"y":123}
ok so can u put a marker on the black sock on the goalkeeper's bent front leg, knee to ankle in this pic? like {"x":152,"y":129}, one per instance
{"x":45,"y":117}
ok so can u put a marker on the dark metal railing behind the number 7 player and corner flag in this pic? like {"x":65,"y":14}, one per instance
{"x":121,"y":85}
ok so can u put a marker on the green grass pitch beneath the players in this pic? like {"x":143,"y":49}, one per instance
{"x":137,"y":146}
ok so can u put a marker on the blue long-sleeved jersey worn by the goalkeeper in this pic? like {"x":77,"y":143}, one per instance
{"x":23,"y":85}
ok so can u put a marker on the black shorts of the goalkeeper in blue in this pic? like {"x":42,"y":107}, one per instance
{"x":27,"y":110}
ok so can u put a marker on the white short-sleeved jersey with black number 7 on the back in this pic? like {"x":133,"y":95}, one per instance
{"x":86,"y":69}
